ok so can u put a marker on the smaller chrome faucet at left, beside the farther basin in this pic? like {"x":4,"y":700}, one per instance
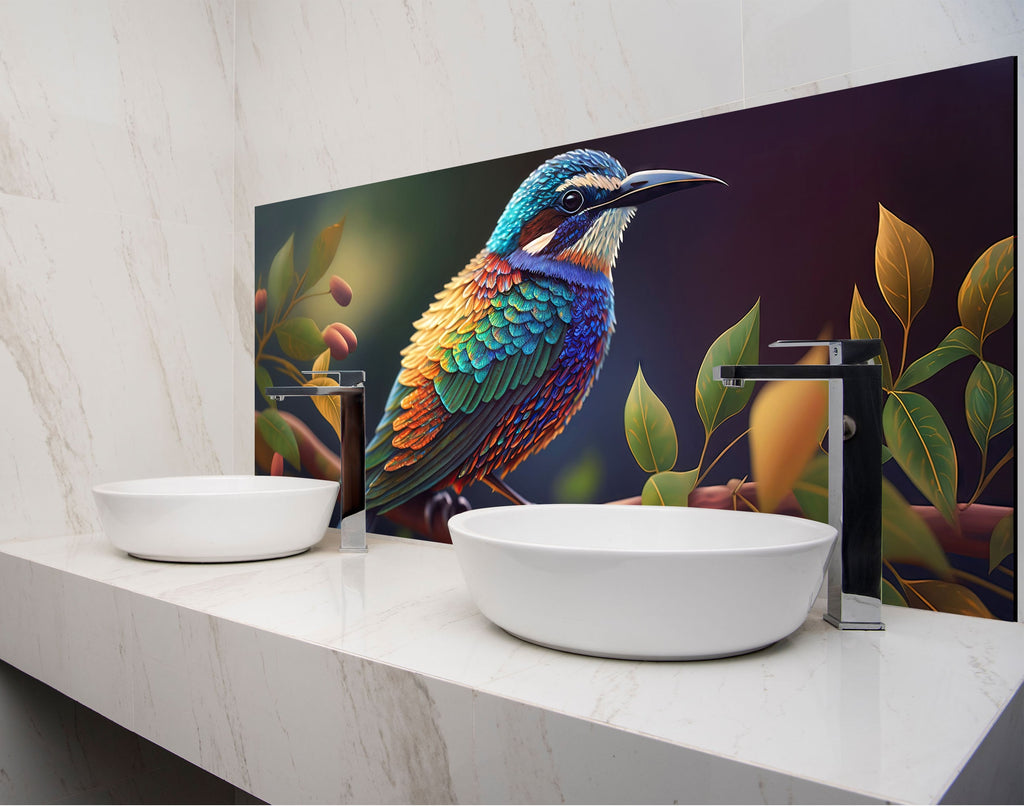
{"x":352,"y":394}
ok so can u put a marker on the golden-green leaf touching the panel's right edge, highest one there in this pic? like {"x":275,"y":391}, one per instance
{"x":987,"y":298}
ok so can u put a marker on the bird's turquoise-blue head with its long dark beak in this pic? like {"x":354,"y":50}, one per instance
{"x":568,"y":219}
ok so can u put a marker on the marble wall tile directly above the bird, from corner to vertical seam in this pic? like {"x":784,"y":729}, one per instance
{"x":332,"y":95}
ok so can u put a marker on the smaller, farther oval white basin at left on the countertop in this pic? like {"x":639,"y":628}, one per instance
{"x":216,"y":519}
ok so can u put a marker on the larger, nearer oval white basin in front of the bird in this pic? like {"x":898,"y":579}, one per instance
{"x":644,"y":583}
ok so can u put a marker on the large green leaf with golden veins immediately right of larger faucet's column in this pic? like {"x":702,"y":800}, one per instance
{"x":923,"y":448}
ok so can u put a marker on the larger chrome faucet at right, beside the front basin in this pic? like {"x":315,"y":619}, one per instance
{"x":855,"y":590}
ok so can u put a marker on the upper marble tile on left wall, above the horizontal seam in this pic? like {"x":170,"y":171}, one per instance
{"x":119,"y":106}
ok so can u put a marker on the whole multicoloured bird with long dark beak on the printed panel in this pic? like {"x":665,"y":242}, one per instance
{"x":508,"y":352}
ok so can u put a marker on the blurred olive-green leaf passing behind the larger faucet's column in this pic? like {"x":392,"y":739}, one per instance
{"x":906,"y":536}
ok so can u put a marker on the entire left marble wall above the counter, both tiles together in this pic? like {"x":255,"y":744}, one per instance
{"x":116,"y":221}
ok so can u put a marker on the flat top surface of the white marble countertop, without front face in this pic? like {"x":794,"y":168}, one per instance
{"x":838,"y":709}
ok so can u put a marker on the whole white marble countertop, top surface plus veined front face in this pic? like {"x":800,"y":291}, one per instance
{"x":374,"y":678}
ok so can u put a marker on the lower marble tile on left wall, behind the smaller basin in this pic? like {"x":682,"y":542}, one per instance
{"x":116,"y":351}
